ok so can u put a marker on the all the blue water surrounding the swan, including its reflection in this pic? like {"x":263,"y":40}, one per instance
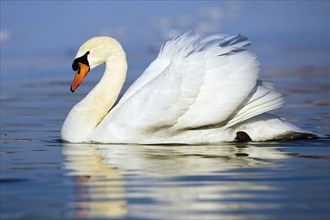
{"x":43,"y":178}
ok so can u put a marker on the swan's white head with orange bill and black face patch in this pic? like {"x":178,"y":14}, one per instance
{"x":92,"y":53}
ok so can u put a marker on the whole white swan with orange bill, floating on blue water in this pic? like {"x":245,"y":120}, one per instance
{"x":198,"y":90}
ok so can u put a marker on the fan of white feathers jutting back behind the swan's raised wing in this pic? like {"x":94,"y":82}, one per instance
{"x":264,"y":99}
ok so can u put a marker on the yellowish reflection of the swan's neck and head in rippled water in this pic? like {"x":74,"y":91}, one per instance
{"x":99,"y":188}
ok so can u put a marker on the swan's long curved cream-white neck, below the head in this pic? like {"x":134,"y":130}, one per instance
{"x":89,"y":112}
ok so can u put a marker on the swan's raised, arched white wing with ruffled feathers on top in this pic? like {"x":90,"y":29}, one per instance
{"x":199,"y":82}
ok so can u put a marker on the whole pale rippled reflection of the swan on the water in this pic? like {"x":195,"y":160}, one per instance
{"x":170,"y":182}
